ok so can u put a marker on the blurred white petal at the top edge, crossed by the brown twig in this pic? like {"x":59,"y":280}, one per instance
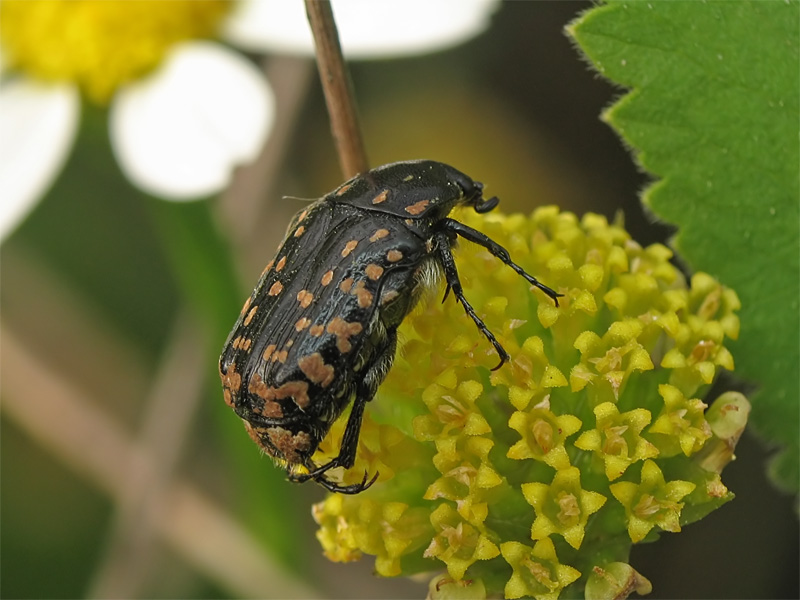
{"x":367,"y":28}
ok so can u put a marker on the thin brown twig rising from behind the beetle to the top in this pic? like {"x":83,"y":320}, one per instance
{"x":338,"y":88}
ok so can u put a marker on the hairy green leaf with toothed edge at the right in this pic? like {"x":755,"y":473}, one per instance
{"x":713,"y":114}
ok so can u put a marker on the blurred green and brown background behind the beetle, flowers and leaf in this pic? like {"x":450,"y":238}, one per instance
{"x":123,"y":472}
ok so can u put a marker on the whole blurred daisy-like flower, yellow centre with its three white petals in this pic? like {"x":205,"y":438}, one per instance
{"x":180,"y":129}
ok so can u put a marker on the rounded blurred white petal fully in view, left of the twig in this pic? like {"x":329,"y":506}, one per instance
{"x":179,"y":133}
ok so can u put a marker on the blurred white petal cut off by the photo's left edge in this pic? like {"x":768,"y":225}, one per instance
{"x":37,"y":128}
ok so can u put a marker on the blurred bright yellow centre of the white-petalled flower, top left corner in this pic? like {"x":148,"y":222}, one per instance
{"x":100,"y":44}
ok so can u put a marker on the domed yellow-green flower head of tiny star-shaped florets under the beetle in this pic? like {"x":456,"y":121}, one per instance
{"x":536,"y":479}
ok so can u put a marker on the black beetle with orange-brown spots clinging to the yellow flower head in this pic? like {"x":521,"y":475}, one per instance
{"x":320,"y":328}
